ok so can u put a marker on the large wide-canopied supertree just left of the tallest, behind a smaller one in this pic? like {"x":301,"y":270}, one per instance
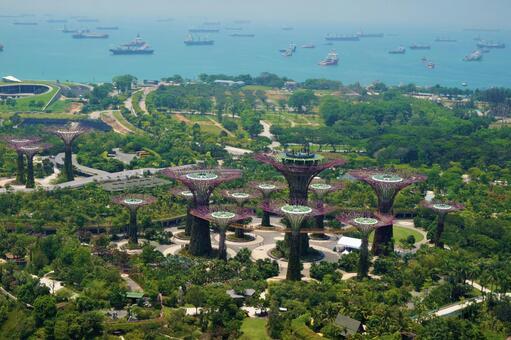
{"x":201,"y":182}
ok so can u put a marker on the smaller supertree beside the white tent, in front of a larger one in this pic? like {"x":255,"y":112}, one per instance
{"x":365,"y":222}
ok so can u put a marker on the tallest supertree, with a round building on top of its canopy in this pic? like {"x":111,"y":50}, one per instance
{"x":299,"y":168}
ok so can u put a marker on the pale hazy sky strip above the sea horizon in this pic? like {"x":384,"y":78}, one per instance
{"x":441,"y":13}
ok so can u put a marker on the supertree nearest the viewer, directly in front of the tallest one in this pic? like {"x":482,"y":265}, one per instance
{"x":295,"y":212}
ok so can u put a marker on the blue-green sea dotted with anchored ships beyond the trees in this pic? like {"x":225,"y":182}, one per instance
{"x":44,"y":52}
